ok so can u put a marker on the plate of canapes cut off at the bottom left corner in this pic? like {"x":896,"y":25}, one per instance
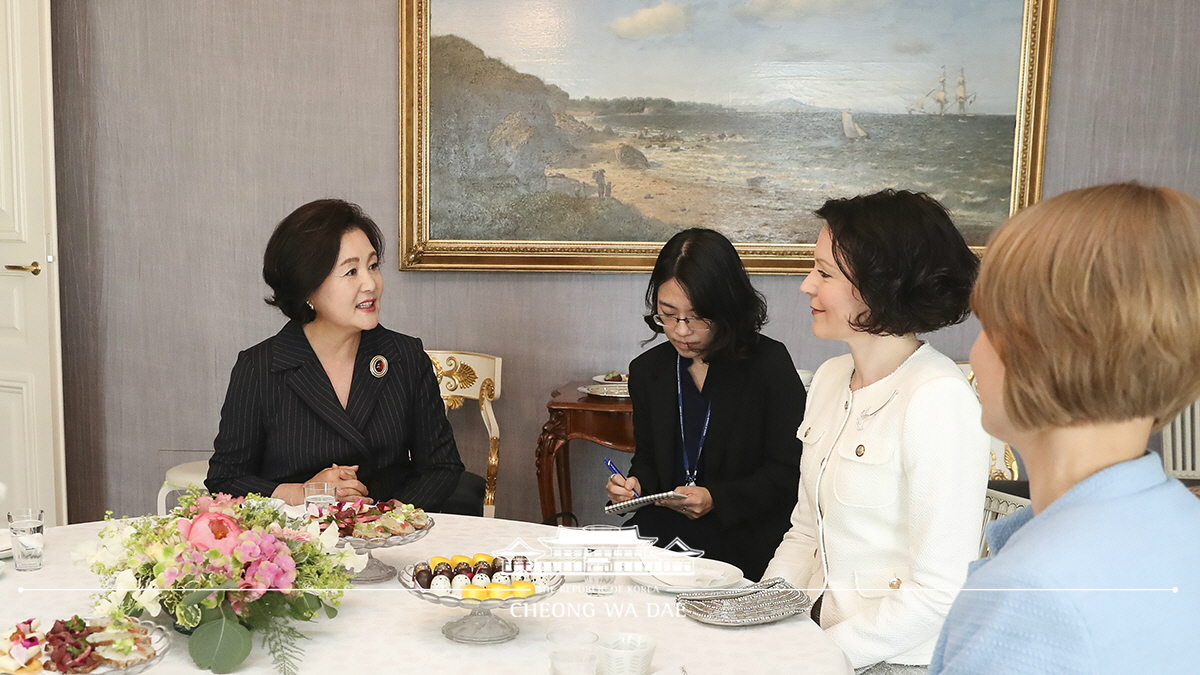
{"x":82,"y":646}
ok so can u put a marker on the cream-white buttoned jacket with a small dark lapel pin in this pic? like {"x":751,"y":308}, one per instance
{"x":891,"y":505}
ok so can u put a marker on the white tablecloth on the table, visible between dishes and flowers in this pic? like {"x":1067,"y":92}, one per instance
{"x":382,"y":629}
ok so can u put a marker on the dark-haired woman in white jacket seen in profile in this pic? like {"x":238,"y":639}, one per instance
{"x":896,"y":462}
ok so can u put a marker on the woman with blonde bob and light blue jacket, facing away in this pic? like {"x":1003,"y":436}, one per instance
{"x":1090,"y":304}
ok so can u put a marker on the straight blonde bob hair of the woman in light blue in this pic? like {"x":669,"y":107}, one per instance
{"x":1093,"y":303}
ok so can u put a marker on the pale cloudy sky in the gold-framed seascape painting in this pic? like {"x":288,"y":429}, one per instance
{"x":877,"y":56}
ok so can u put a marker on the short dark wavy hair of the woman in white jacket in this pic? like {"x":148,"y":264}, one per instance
{"x":903,"y":254}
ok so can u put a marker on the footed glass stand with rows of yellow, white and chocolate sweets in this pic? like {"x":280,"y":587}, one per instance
{"x":481,"y":583}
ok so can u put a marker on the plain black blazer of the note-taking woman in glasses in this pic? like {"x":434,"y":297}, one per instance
{"x":752,"y":459}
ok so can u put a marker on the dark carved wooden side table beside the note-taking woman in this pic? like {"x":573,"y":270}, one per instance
{"x":574,"y":415}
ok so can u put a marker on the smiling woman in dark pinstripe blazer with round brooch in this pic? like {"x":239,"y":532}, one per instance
{"x":334,"y":397}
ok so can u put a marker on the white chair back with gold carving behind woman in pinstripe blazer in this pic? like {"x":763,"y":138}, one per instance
{"x":470,"y":377}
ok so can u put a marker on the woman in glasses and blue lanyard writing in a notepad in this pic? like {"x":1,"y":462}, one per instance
{"x":716,"y":410}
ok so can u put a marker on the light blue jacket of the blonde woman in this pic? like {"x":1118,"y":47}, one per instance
{"x":1106,"y":580}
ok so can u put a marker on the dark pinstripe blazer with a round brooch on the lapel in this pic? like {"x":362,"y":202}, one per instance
{"x":283,"y":423}
